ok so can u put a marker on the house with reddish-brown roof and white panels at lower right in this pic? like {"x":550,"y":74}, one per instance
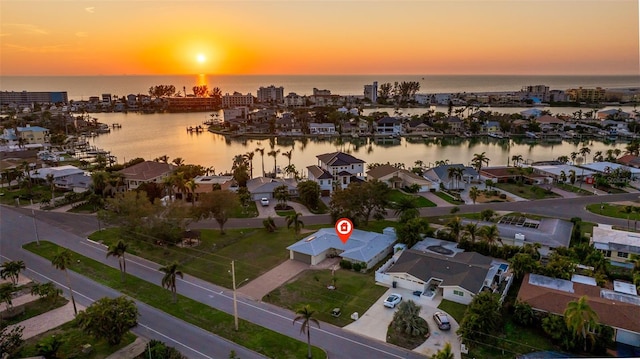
{"x":618,"y":308}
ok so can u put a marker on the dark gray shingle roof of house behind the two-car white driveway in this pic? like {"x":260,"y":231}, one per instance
{"x":467,"y":270}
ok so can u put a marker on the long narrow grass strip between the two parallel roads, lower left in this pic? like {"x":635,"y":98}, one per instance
{"x":254,"y":337}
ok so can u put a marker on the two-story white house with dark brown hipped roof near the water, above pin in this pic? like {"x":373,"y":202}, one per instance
{"x":336,"y":169}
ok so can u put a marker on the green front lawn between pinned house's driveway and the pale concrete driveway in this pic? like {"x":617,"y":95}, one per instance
{"x":355,"y":292}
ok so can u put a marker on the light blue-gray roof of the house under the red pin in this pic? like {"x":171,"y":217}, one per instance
{"x":362,"y":246}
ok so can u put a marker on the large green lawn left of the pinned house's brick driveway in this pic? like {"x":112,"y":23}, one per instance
{"x":254,"y":250}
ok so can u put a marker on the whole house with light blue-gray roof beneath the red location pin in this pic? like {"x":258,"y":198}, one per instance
{"x":361,"y":247}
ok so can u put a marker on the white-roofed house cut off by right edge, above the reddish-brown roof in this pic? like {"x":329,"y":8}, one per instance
{"x":616,"y":245}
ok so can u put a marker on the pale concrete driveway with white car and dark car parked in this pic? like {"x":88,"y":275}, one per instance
{"x":375,"y":321}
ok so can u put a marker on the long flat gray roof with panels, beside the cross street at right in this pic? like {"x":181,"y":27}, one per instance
{"x":551,"y":232}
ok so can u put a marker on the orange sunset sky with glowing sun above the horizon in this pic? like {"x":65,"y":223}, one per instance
{"x":146,"y":37}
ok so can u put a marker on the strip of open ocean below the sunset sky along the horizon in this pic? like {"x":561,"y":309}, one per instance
{"x":82,"y":87}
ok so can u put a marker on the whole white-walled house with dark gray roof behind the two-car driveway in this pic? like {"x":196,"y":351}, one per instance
{"x":457,"y":278}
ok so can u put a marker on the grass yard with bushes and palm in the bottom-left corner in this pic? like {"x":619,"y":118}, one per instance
{"x":73,"y":338}
